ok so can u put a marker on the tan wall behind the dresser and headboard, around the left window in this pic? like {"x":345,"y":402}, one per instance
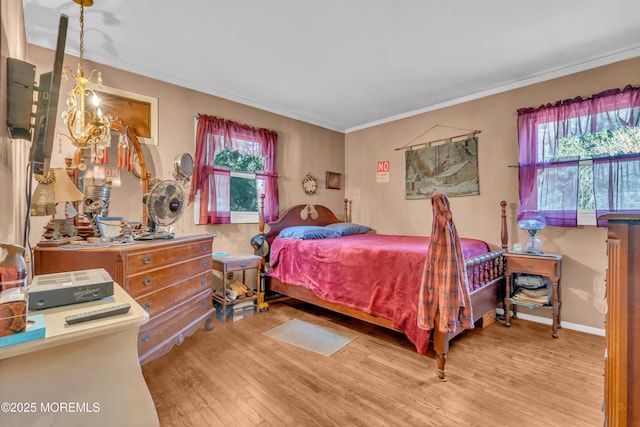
{"x":302,"y":148}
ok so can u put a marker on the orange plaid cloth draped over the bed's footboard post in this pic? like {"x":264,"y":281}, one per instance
{"x":444,"y":280}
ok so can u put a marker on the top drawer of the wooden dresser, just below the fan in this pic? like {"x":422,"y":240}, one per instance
{"x":155,"y":257}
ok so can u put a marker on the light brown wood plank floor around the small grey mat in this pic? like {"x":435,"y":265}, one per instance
{"x":518,"y":376}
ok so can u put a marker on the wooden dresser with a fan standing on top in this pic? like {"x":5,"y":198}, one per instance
{"x":170,"y":279}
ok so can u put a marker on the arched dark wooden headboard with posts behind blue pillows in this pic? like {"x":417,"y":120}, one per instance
{"x":300,"y":215}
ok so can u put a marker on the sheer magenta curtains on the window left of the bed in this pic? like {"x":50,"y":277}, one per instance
{"x":213,"y":182}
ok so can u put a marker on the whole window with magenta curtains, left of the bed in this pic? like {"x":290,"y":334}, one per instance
{"x":235,"y":164}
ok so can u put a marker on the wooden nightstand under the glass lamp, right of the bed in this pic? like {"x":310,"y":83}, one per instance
{"x":544,"y":265}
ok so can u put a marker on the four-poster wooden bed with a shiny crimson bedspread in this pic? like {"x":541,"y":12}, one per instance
{"x":329,"y":272}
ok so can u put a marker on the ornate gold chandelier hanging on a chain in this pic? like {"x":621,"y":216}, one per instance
{"x":86,"y":124}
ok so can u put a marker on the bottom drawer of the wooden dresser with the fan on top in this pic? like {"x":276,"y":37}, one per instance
{"x":171,"y":325}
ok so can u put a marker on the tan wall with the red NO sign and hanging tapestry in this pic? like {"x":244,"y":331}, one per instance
{"x":383,"y":206}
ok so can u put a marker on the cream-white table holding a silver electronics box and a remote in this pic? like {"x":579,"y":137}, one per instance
{"x":87,"y":374}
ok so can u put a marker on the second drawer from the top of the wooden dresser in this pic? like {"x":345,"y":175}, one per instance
{"x":150,"y":281}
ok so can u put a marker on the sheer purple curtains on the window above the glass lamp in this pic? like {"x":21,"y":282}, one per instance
{"x":549,"y":182}
